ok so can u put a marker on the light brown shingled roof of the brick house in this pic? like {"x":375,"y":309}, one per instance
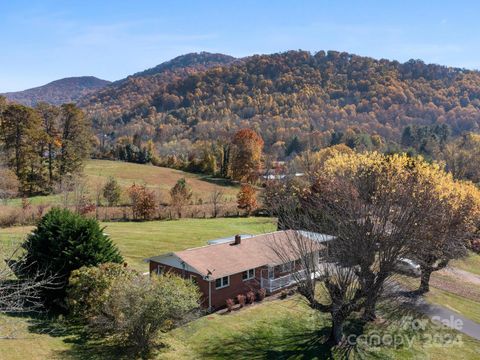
{"x":226,"y":259}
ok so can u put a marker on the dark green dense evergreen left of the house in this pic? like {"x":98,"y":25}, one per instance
{"x":63,"y":242}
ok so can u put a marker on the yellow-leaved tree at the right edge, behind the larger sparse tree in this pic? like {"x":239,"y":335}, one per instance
{"x":448,"y":222}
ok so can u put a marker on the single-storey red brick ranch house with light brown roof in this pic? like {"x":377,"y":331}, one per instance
{"x":229,"y":267}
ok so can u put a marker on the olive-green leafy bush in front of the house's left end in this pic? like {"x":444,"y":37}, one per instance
{"x":137,"y":310}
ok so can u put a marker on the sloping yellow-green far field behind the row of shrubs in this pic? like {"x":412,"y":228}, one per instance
{"x":156,"y":178}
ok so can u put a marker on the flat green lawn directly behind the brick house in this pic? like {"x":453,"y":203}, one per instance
{"x":139,"y":240}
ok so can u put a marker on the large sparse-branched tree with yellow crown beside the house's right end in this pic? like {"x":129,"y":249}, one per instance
{"x":378,"y":205}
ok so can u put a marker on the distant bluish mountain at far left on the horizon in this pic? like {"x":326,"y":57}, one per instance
{"x":59,"y":91}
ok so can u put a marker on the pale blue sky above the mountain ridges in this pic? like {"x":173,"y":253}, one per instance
{"x":41,"y":41}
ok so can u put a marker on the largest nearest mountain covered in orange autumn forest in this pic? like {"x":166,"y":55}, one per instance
{"x":319,"y":98}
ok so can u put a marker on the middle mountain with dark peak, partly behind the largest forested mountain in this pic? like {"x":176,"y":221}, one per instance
{"x":124,"y":95}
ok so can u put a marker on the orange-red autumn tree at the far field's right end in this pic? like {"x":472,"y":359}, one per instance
{"x":247,"y":155}
